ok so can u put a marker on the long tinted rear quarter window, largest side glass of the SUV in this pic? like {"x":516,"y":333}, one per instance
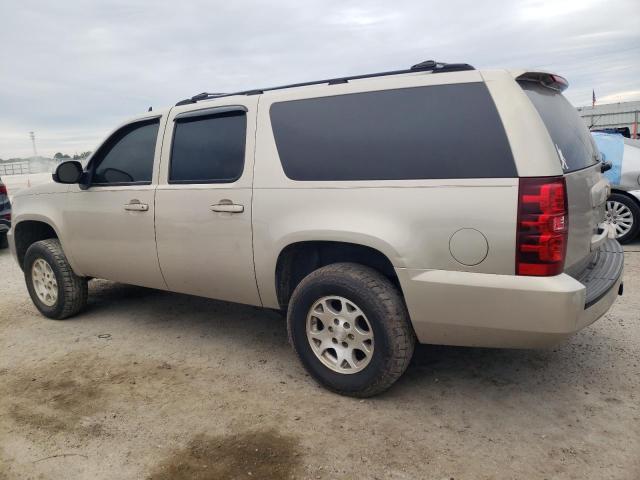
{"x":444,"y":131}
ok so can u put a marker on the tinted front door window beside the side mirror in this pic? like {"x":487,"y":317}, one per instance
{"x":127,"y":157}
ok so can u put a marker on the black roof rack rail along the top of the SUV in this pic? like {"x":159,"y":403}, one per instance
{"x":427,"y":66}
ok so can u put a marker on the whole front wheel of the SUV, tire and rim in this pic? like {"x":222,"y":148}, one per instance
{"x":53,"y":286}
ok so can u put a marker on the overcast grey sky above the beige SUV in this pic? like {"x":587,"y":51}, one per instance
{"x":71,"y":70}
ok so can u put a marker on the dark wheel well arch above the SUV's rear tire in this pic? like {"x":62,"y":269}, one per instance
{"x":298,"y":260}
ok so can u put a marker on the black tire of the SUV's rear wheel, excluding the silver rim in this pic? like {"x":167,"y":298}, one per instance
{"x":385,"y":310}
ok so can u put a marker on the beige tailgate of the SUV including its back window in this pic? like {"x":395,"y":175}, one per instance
{"x":587,"y":189}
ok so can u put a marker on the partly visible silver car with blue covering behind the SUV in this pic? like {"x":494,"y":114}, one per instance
{"x":623,"y":206}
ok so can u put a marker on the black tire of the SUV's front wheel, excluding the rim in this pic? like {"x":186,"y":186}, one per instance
{"x":72,"y":289}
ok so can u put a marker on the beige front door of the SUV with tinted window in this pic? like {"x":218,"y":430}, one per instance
{"x":111,"y":222}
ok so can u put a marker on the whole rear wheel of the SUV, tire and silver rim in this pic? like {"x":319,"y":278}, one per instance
{"x":350,"y":328}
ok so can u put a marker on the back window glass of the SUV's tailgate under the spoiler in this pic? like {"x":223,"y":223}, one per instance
{"x":567,"y":130}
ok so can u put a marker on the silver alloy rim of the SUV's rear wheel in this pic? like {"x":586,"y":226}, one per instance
{"x":340,"y":334}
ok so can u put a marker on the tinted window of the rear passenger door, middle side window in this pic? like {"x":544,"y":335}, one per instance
{"x":208,"y":149}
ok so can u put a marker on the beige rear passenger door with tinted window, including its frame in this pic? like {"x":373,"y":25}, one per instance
{"x":203,"y":202}
